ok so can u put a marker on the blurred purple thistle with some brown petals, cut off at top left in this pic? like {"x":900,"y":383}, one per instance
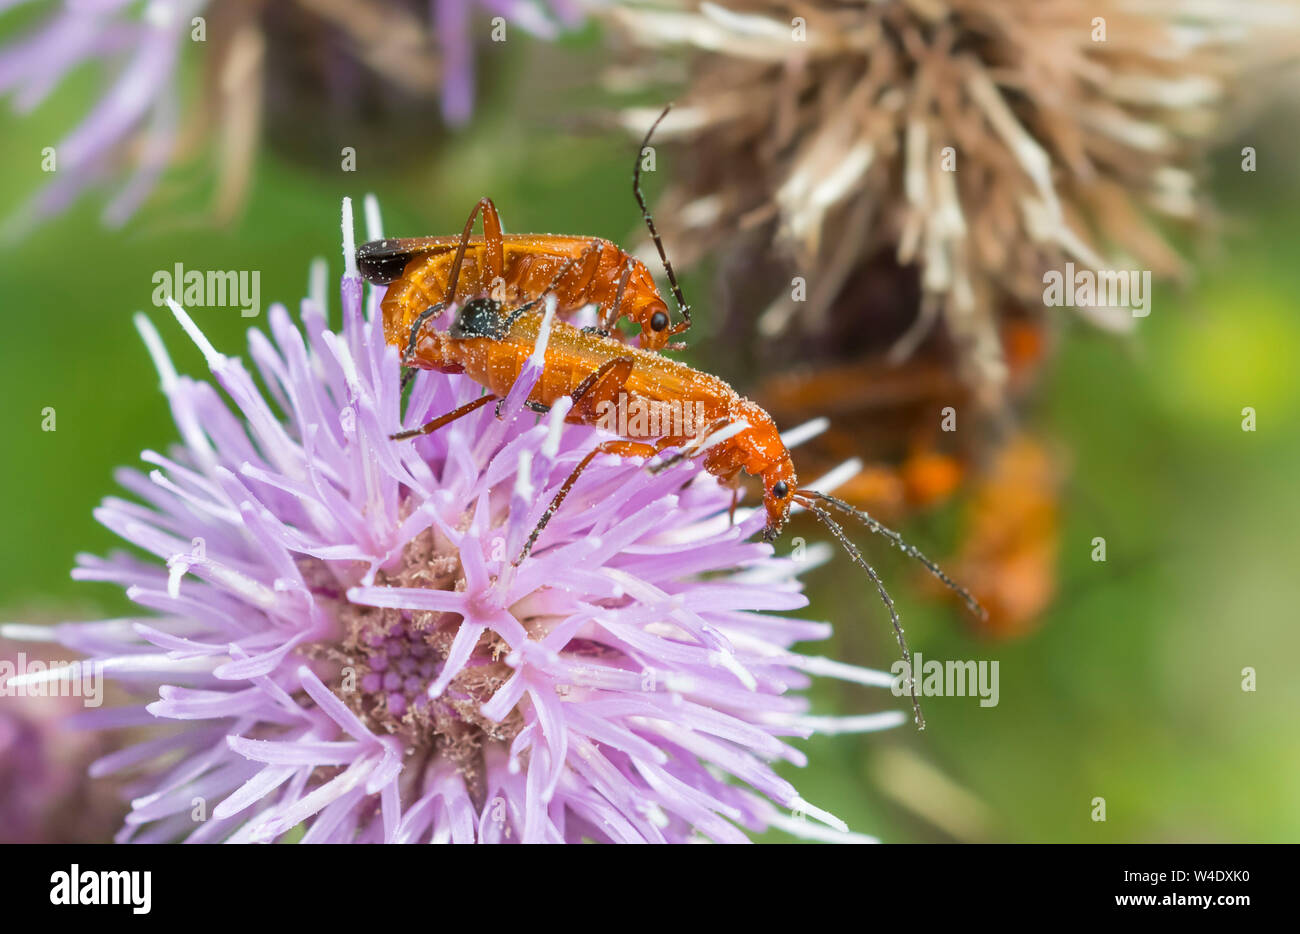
{"x":136,"y":123}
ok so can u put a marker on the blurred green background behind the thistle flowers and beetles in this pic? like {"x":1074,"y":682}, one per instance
{"x":1130,"y":691}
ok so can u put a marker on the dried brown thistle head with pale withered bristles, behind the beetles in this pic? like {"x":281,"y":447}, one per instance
{"x":980,"y":141}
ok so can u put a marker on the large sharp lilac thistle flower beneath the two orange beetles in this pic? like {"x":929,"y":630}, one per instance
{"x":339,"y":630}
